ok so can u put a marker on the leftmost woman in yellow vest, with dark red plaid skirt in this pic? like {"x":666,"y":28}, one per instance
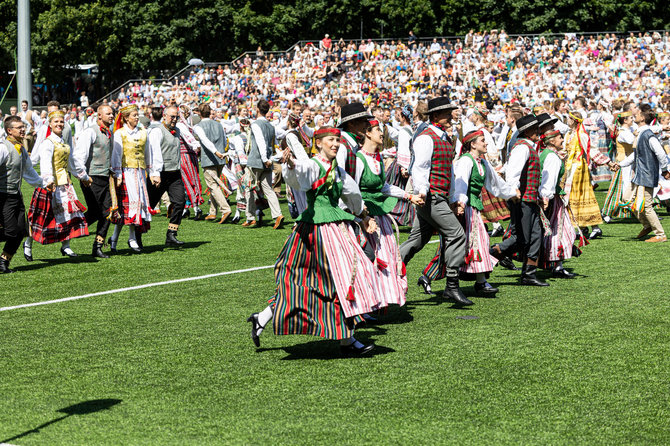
{"x":56,"y":214}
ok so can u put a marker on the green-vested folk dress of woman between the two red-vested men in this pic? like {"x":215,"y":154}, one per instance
{"x":470,"y":177}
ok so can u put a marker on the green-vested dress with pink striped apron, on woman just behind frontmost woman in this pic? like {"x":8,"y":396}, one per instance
{"x":380,"y":198}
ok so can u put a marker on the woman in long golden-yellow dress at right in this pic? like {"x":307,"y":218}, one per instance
{"x":578,"y":188}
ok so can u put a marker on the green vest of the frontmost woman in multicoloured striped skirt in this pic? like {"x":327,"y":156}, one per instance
{"x":322,"y":202}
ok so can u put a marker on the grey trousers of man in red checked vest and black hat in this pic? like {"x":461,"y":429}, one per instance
{"x":436,"y":215}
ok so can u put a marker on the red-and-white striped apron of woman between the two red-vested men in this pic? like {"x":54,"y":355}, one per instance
{"x":478,"y":259}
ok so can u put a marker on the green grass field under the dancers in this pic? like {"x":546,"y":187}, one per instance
{"x":580,"y":362}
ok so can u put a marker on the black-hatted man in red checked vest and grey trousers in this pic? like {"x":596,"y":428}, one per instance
{"x":431,"y":172}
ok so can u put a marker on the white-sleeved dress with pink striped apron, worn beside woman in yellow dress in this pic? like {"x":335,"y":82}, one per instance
{"x":558,"y":244}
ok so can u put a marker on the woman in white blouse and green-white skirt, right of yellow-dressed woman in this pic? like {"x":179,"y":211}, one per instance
{"x":621,"y":182}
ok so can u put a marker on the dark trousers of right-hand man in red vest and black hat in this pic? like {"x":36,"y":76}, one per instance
{"x":526,"y":230}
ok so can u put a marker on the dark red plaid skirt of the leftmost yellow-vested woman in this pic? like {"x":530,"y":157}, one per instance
{"x":43,"y":226}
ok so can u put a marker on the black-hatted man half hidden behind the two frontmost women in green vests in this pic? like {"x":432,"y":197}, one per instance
{"x":354,"y":119}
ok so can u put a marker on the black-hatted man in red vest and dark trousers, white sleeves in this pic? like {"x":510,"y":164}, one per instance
{"x":525,"y":229}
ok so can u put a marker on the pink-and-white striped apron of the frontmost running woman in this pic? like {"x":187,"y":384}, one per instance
{"x":343,"y":252}
